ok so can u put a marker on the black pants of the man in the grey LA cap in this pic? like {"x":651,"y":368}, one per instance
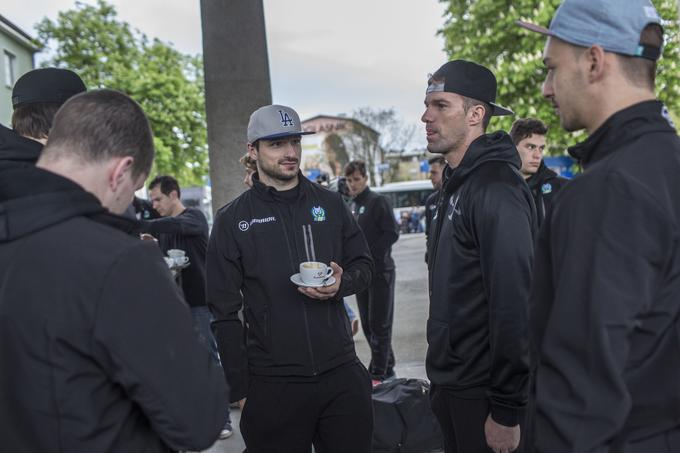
{"x":334,"y":413}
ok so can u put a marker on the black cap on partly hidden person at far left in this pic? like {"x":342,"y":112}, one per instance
{"x":46,"y":85}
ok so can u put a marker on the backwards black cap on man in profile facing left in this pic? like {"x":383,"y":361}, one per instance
{"x":470,"y":80}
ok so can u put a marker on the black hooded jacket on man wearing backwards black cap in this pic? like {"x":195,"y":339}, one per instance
{"x":481,"y":251}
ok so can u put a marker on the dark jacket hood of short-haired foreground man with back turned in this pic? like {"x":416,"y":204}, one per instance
{"x":32,"y":199}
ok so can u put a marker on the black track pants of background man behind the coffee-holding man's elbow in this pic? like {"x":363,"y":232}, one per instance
{"x":376,"y":310}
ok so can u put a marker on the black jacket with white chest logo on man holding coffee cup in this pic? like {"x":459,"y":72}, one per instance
{"x":257,"y":243}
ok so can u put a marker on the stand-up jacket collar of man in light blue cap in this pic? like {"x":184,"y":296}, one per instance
{"x":621,"y":128}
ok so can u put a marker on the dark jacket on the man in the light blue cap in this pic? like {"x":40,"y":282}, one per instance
{"x":605,"y":302}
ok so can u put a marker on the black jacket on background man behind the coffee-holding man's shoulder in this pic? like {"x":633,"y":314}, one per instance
{"x":376,"y":219}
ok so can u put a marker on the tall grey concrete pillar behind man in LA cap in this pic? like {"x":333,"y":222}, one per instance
{"x":236,"y":83}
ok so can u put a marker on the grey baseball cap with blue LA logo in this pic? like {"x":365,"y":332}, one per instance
{"x":274,"y":121}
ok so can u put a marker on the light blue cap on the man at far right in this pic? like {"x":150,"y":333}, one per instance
{"x":614,"y":25}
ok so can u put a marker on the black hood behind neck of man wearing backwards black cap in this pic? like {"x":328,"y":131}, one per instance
{"x":495,"y":147}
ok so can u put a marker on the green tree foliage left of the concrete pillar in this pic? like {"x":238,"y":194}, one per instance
{"x":107,"y":53}
